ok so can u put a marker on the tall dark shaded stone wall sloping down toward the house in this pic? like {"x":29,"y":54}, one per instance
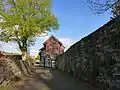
{"x":94,"y":58}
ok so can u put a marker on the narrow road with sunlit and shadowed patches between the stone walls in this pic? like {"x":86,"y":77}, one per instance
{"x":47,"y":79}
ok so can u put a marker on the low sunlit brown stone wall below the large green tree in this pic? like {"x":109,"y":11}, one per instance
{"x":12,"y":69}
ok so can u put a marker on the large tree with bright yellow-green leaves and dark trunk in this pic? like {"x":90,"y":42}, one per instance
{"x":24,"y":20}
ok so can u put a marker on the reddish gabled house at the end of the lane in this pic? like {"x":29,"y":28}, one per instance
{"x":50,"y":50}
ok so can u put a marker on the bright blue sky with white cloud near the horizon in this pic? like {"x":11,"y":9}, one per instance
{"x":76,"y":21}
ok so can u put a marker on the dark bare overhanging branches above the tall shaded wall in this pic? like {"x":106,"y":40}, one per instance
{"x":100,"y":6}
